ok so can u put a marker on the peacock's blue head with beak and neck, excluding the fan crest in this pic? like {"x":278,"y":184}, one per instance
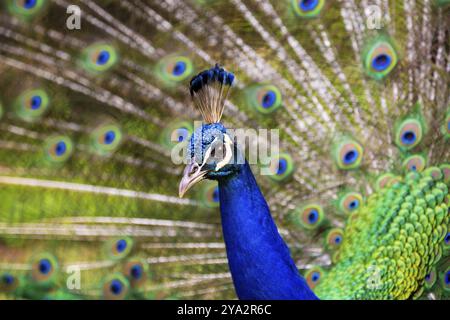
{"x":259,"y":260}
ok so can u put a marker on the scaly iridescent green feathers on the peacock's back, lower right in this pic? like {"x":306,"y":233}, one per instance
{"x":392,"y":242}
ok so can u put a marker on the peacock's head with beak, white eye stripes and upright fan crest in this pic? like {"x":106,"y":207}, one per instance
{"x":211,"y":152}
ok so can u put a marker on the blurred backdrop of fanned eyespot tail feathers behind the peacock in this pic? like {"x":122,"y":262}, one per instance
{"x":94,"y":95}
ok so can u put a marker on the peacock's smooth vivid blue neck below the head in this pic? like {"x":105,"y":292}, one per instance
{"x":259,"y":260}
